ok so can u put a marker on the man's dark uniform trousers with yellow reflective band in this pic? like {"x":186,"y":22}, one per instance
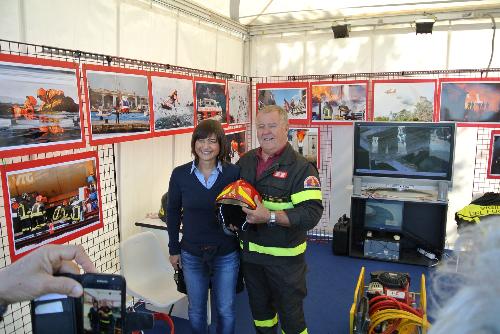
{"x":277,"y":292}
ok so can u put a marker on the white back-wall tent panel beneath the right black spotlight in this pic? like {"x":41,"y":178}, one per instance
{"x":408,"y":51}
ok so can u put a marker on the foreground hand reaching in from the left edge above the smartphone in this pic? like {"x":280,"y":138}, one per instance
{"x":33,"y":275}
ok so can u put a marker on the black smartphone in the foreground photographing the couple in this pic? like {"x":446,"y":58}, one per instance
{"x":103,"y":304}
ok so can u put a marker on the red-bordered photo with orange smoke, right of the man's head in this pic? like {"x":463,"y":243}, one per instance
{"x":338,"y":102}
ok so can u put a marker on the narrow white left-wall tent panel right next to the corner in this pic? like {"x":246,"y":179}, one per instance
{"x":229,"y":54}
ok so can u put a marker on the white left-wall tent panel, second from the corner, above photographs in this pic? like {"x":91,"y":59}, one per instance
{"x":197,"y":45}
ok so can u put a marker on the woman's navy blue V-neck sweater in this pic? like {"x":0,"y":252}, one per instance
{"x":191,"y":202}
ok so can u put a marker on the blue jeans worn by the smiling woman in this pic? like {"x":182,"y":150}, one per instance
{"x":224,"y":276}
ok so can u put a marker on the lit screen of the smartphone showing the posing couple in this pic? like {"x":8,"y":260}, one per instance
{"x":101,"y":311}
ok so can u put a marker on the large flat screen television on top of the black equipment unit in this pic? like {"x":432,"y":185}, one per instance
{"x":404,"y":150}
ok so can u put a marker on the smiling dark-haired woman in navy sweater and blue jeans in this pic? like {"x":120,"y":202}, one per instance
{"x":205,"y":254}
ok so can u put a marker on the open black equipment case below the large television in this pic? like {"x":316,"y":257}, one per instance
{"x":423,"y":226}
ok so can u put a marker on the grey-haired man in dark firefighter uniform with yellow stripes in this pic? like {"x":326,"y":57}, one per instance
{"x":274,"y":244}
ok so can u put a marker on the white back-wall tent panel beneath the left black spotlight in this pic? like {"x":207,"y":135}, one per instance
{"x":324,"y":54}
